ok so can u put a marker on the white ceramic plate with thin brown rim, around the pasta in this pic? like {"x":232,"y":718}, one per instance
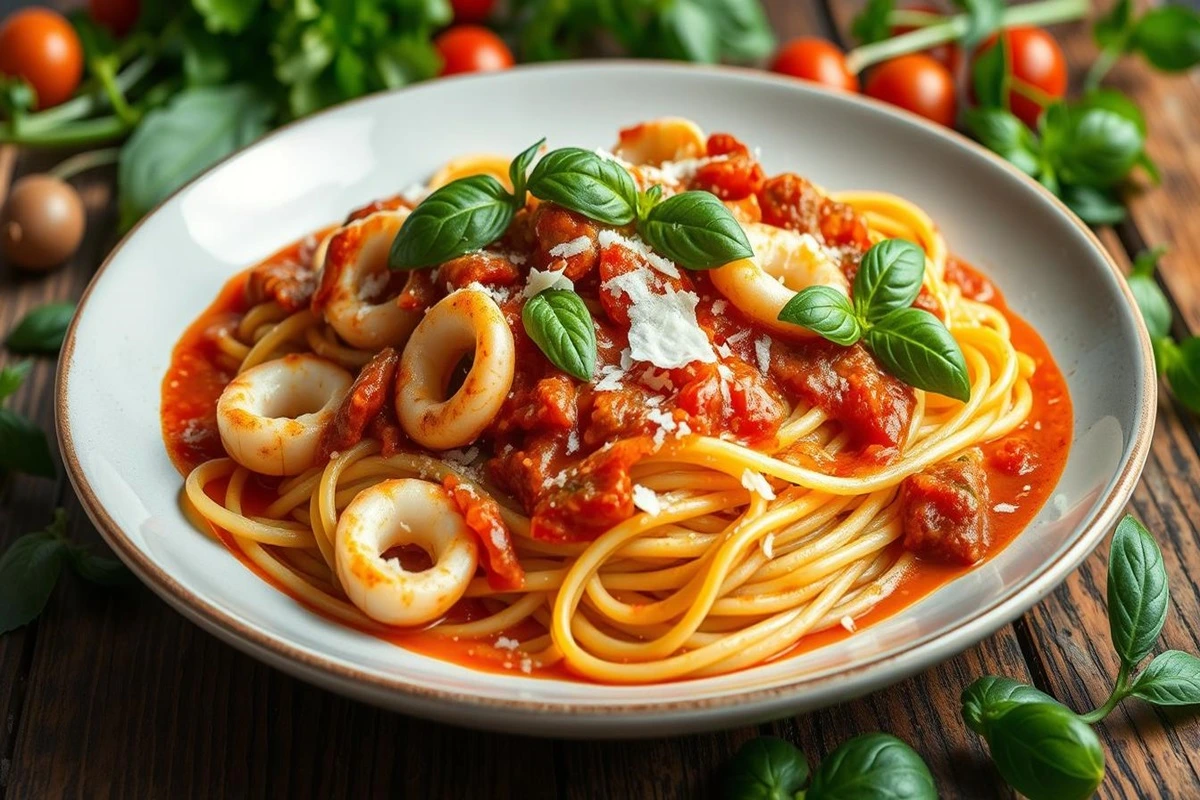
{"x":307,"y":176}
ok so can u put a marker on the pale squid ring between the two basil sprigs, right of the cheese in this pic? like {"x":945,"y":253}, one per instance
{"x":784,"y":263}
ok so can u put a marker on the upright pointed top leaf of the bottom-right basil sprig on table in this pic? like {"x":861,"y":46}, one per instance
{"x":1138,"y":593}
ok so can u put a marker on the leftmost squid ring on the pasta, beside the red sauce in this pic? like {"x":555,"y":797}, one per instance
{"x":271,"y":417}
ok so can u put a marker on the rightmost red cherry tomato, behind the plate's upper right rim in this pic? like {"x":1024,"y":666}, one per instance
{"x":1039,"y":71}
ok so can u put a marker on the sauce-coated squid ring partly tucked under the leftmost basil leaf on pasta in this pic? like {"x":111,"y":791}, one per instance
{"x":355,"y":267}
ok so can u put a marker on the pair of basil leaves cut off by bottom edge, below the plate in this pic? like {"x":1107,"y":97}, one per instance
{"x":871,"y":766}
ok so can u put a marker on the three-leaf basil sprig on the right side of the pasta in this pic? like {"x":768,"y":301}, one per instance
{"x":911,"y":344}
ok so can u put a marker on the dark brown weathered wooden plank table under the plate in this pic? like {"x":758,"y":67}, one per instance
{"x":116,"y":695}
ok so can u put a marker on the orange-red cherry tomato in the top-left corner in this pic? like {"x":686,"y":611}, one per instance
{"x":40,"y":46}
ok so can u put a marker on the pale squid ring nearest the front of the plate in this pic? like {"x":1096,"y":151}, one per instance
{"x":404,"y":512}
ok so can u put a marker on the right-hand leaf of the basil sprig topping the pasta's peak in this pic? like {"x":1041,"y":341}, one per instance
{"x":695,"y":231}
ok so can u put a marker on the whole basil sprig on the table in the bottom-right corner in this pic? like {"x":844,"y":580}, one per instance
{"x":1046,"y":750}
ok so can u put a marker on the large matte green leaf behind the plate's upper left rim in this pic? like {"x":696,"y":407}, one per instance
{"x":177,"y":143}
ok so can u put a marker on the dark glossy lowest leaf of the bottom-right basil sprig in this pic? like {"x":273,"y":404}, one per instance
{"x":1047,"y":753}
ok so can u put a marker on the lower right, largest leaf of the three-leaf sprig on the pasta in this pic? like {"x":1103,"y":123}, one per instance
{"x":917,"y":348}
